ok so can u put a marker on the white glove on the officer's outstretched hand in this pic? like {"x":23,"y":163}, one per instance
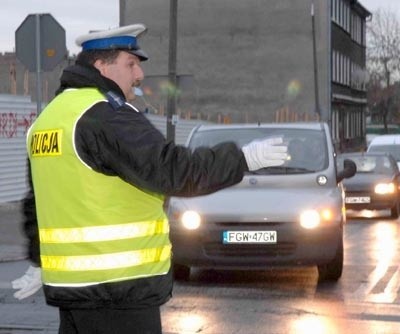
{"x":265,"y":153}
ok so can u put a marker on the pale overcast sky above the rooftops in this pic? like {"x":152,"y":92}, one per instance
{"x":90,"y":15}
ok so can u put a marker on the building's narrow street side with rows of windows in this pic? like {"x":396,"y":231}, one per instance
{"x":349,"y":75}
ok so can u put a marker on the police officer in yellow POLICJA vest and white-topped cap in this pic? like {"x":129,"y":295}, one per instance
{"x":100,"y":173}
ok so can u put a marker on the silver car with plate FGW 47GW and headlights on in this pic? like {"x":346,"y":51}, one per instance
{"x":277,"y":216}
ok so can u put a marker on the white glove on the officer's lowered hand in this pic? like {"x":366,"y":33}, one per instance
{"x":28,"y":284}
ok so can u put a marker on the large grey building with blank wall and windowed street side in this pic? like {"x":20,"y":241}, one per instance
{"x":261,"y":61}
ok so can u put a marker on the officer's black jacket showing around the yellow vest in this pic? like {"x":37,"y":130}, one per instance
{"x":114,"y":139}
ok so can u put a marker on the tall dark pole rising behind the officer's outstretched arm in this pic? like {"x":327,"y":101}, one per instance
{"x":171,"y":103}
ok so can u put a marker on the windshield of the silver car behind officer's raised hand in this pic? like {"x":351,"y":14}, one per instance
{"x":307,"y":148}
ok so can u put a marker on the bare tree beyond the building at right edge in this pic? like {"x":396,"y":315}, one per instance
{"x":383,"y":62}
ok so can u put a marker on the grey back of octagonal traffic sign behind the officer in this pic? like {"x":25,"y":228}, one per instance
{"x":40,"y":42}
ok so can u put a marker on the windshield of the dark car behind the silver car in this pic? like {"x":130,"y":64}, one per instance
{"x":370,"y":164}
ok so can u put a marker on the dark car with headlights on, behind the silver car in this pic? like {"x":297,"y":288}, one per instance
{"x":375,"y":186}
